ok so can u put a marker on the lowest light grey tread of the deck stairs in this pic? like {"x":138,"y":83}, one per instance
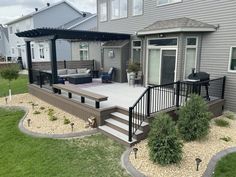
{"x":116,"y":133}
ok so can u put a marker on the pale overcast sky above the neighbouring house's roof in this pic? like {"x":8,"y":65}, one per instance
{"x":12,"y":9}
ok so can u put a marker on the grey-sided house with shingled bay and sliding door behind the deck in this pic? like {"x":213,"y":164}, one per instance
{"x":171,"y":37}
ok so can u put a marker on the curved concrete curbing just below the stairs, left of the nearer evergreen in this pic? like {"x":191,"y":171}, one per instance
{"x":128,"y":166}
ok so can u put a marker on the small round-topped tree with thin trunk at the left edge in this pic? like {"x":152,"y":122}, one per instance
{"x":10,"y":73}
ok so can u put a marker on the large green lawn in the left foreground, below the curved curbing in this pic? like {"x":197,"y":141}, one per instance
{"x":22,"y":155}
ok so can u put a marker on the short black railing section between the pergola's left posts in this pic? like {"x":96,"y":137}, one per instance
{"x":42,"y":78}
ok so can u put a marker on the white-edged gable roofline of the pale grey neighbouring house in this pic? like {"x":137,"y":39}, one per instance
{"x":43,"y":9}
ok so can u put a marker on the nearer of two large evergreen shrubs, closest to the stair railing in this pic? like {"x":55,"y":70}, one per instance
{"x":164,"y":145}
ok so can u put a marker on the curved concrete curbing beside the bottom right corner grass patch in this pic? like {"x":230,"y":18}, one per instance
{"x":212,"y":164}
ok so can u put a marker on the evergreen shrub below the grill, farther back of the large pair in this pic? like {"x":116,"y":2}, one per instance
{"x":194,"y":119}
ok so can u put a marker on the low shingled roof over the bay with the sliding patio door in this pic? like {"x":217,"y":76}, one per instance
{"x":177,"y":25}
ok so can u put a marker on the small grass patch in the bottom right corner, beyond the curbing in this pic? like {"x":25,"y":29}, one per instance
{"x":226,"y":166}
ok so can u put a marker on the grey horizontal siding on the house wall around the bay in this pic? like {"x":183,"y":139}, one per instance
{"x":215,"y":49}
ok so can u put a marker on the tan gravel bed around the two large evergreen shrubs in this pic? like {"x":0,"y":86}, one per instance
{"x":204,"y":149}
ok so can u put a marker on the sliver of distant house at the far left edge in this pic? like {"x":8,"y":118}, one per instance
{"x":4,"y":42}
